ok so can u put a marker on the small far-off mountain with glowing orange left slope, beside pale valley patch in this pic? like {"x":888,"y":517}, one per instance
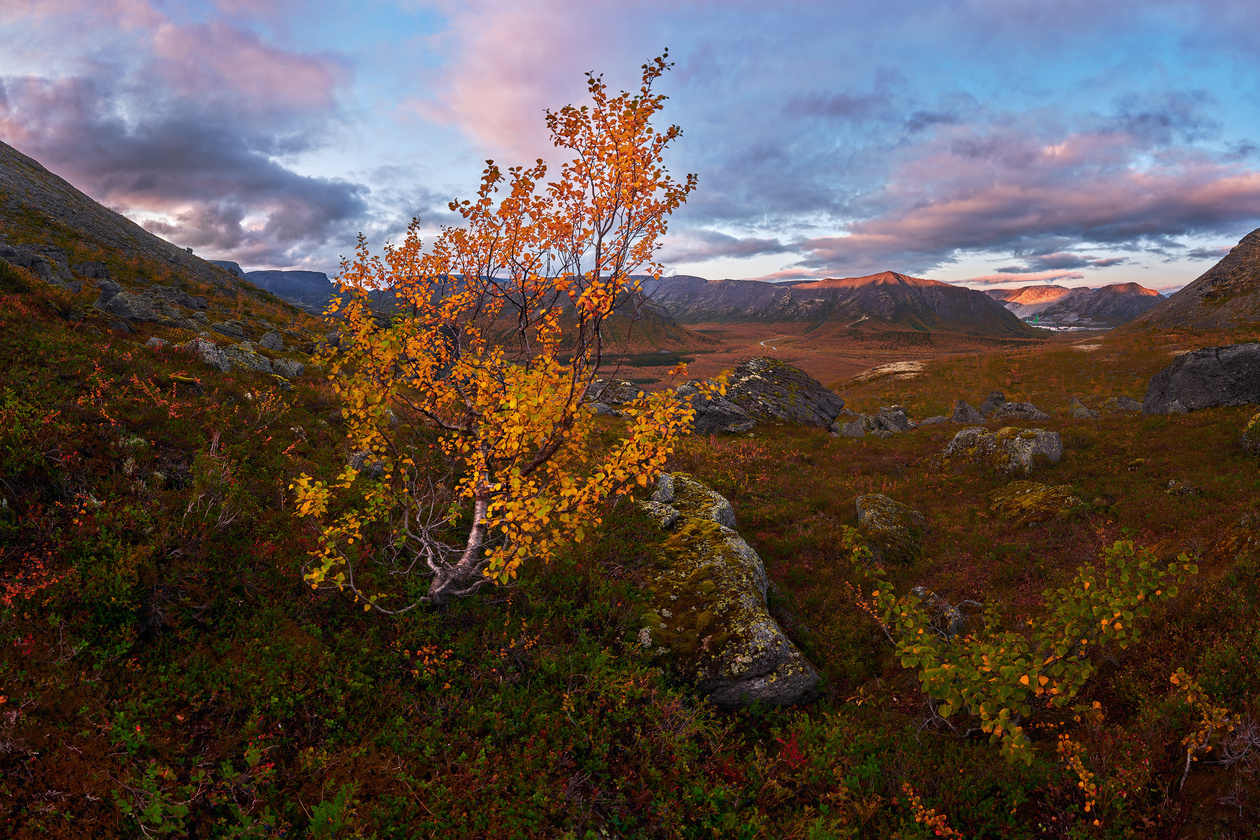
{"x":1079,"y":308}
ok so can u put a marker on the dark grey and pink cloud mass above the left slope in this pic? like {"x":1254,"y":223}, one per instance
{"x":190,"y":135}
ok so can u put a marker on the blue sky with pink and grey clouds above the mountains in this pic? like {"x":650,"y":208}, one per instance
{"x":983,"y":143}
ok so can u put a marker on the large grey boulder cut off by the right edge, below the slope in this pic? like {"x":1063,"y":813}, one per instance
{"x":1225,"y":376}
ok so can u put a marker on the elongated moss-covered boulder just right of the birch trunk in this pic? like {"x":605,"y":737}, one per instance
{"x":709,"y":620}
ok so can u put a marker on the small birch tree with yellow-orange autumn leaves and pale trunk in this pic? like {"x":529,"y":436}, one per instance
{"x":468,"y":404}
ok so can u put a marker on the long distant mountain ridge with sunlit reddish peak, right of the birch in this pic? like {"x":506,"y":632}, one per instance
{"x":884,"y":302}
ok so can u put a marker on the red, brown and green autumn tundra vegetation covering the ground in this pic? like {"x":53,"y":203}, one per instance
{"x":168,"y":669}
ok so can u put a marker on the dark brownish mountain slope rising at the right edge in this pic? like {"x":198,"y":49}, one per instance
{"x":1224,"y":297}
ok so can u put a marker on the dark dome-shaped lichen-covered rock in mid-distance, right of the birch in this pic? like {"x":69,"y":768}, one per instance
{"x":774,"y":391}
